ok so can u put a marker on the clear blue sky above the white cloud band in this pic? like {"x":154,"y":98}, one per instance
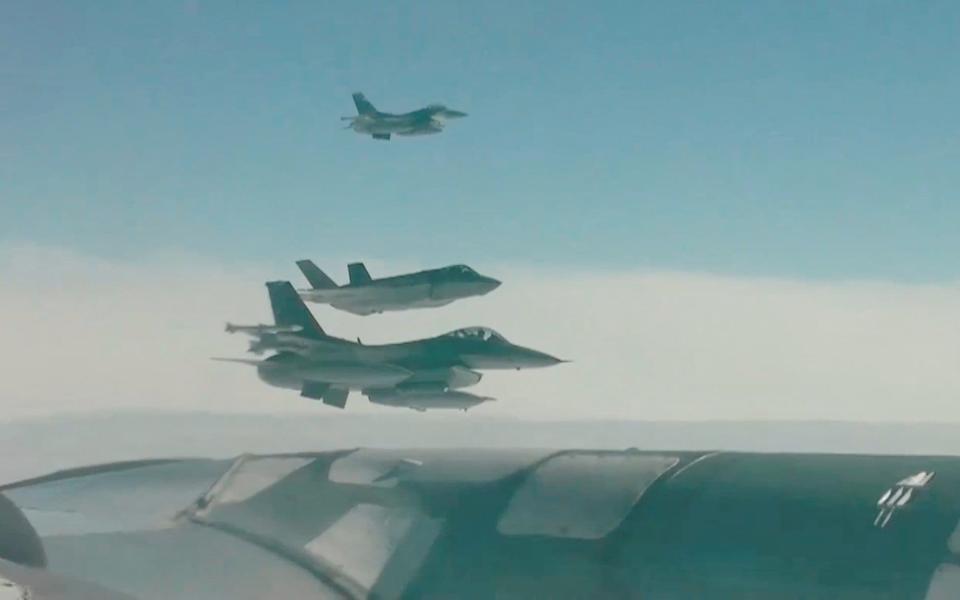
{"x":813,"y":140}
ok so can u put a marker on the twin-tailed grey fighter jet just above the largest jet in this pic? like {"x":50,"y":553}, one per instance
{"x":365,"y":295}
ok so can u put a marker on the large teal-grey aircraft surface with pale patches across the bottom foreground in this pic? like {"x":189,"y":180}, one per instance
{"x":470,"y":523}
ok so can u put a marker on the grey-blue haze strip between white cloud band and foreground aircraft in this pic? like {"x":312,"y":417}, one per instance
{"x":44,"y":445}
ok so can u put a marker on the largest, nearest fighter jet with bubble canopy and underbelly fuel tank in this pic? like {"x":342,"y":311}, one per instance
{"x":421,"y":374}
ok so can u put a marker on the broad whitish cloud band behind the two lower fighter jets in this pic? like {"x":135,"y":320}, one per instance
{"x":88,"y":334}
